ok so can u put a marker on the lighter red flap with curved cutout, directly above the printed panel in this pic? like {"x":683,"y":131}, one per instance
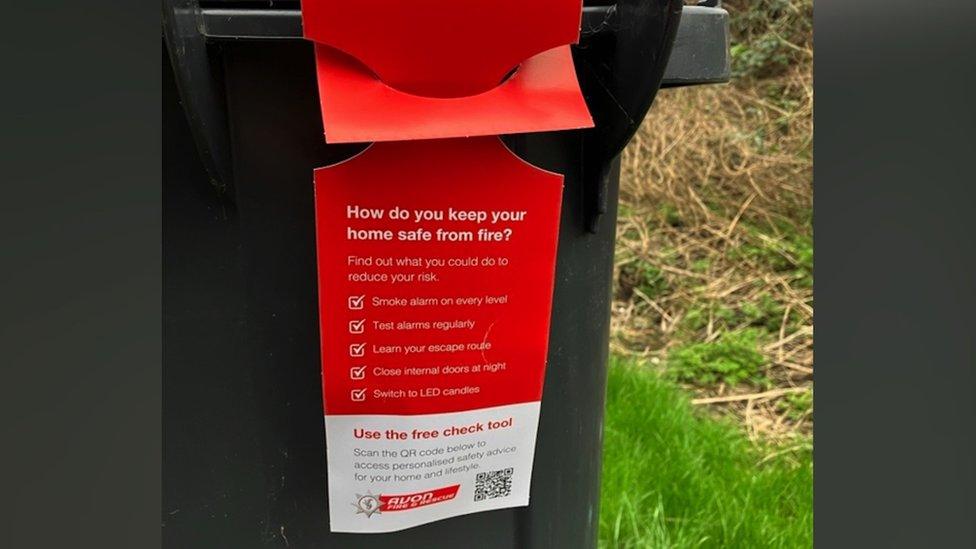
{"x":542,"y":95}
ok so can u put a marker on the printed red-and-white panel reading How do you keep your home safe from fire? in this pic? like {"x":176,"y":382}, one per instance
{"x":436,"y":267}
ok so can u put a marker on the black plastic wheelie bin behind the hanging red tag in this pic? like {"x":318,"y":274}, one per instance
{"x":244,"y":450}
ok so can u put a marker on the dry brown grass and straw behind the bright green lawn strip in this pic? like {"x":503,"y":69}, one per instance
{"x":715,"y":228}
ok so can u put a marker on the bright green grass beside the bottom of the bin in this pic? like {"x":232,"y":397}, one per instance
{"x":673,"y":478}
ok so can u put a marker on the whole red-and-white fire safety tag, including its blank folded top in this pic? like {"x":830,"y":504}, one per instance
{"x":436,"y":256}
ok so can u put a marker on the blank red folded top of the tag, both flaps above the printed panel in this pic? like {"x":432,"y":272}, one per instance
{"x":394,"y":70}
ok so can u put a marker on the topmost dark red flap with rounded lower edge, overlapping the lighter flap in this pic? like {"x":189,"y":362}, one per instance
{"x":439,"y":48}
